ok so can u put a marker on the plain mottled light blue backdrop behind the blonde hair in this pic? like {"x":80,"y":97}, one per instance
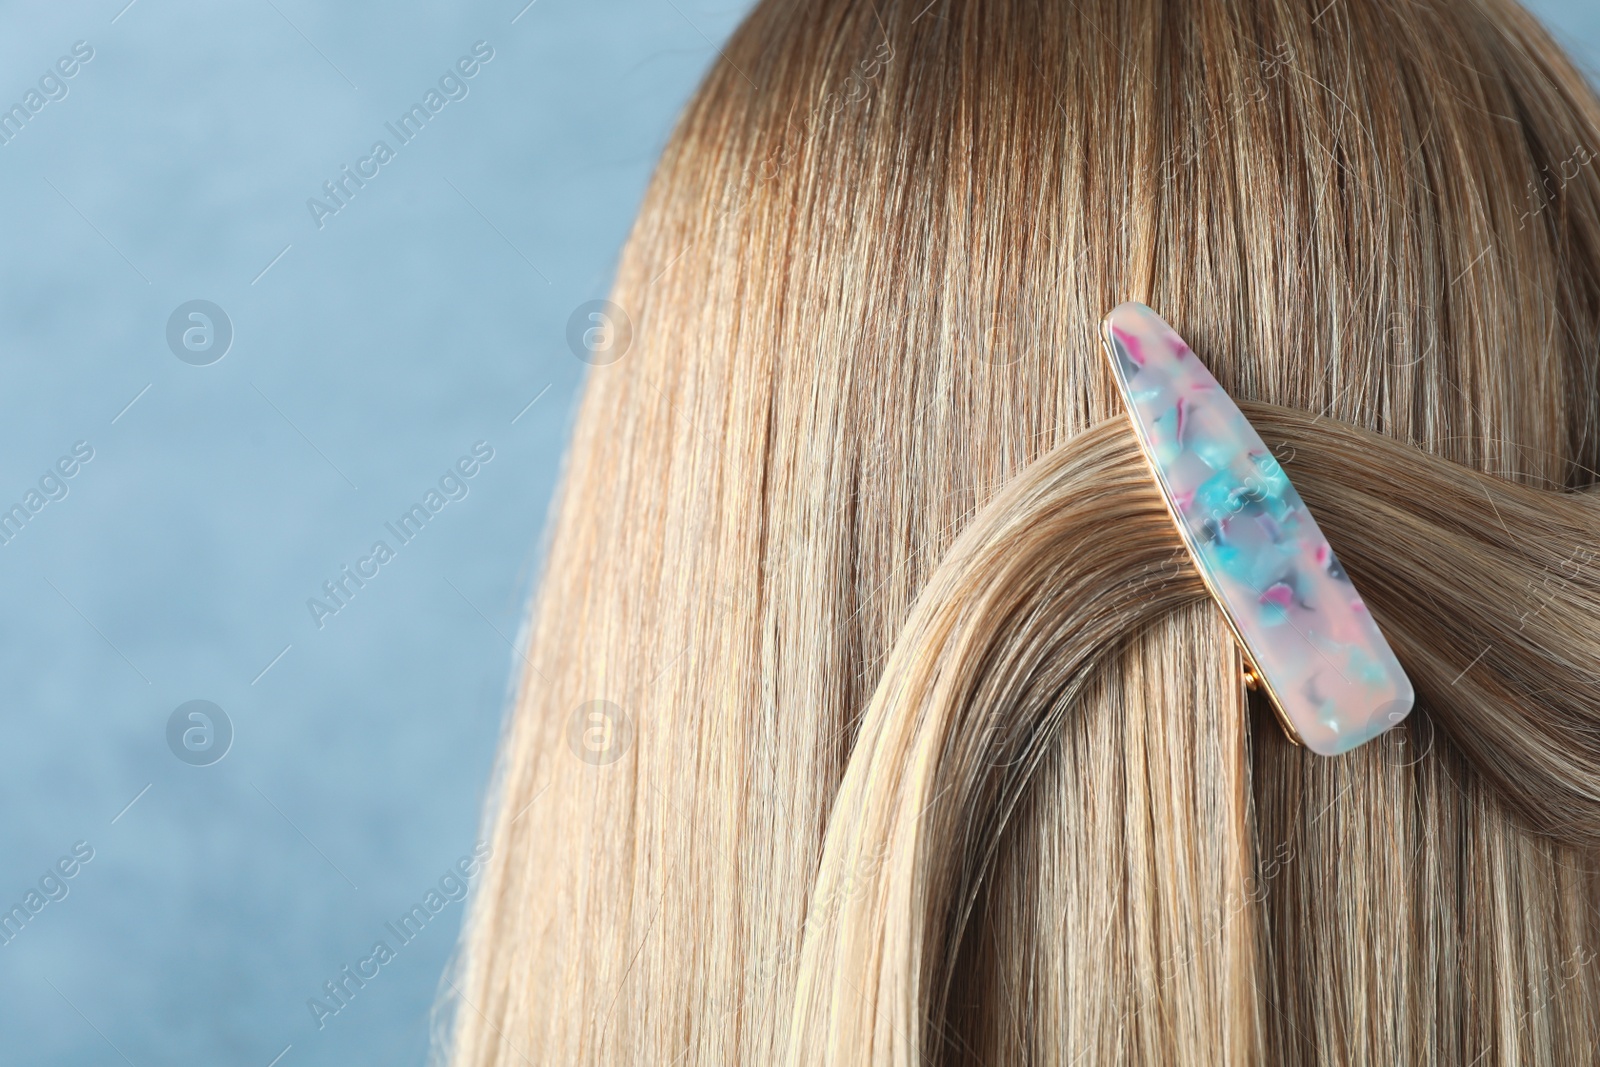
{"x":367,"y":359}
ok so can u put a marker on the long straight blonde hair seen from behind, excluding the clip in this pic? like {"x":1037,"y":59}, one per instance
{"x":873,"y":711}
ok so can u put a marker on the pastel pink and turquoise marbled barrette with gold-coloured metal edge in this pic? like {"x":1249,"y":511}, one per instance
{"x":1310,"y":644}
